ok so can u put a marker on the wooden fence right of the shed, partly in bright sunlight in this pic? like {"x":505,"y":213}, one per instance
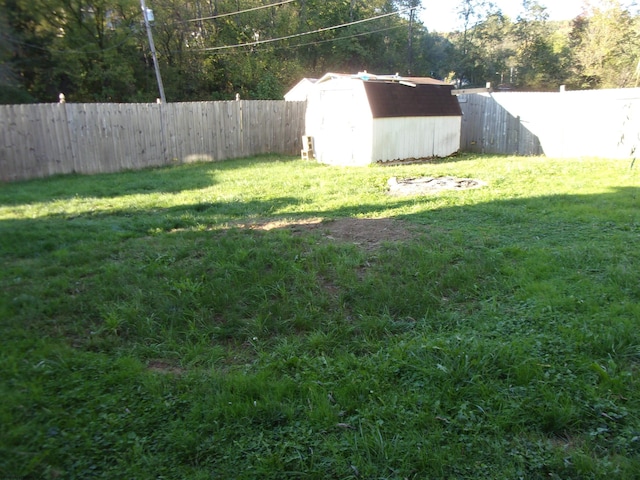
{"x":595,"y":123}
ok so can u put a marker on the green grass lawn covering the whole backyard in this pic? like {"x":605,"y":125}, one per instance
{"x":148,"y":333}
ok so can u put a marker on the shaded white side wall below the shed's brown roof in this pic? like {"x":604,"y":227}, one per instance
{"x":415,"y":137}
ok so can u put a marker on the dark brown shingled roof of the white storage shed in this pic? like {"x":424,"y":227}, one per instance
{"x":428,"y":98}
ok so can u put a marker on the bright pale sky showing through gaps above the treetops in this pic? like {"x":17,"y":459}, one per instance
{"x":440,"y":16}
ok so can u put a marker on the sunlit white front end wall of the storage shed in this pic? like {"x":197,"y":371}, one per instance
{"x":339,"y":120}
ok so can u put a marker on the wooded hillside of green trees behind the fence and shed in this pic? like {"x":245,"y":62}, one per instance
{"x":98,"y":51}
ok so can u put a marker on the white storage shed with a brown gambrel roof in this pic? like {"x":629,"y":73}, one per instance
{"x":365,"y":118}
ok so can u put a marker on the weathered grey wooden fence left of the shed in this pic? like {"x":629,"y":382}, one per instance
{"x":48,"y":139}
